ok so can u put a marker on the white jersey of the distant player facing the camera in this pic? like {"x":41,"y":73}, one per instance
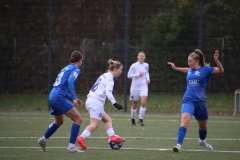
{"x":139,"y":82}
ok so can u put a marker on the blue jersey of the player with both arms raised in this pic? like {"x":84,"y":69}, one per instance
{"x":197,"y":81}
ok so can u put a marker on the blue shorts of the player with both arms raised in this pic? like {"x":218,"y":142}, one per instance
{"x":198,"y":109}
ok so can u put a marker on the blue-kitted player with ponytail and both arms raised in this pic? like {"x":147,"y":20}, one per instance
{"x":194,"y":99}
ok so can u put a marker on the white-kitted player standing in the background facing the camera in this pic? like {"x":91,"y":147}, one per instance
{"x":139,"y":73}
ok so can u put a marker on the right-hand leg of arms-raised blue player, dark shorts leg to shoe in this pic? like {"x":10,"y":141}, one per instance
{"x":201,"y":116}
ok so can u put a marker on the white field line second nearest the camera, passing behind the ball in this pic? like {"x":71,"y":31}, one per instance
{"x":164,"y":138}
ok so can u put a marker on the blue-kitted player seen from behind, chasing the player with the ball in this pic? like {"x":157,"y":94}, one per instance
{"x":60,"y":98}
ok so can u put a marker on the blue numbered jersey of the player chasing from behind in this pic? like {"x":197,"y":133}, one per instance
{"x":64,"y":83}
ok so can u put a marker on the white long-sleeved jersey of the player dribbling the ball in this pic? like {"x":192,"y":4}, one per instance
{"x":103,"y":88}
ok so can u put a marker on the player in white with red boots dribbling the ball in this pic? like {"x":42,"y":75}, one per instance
{"x":102,"y":88}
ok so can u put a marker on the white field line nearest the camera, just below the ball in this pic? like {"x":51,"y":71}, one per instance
{"x":146,"y":149}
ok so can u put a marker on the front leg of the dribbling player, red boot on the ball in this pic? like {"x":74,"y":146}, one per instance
{"x":109,"y":129}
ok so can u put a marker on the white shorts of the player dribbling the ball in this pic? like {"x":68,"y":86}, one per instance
{"x":95,"y":108}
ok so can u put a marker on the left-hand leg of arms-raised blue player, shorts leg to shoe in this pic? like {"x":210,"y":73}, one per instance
{"x":187,"y":112}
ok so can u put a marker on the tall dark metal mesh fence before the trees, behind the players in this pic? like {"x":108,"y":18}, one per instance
{"x":37,"y":38}
